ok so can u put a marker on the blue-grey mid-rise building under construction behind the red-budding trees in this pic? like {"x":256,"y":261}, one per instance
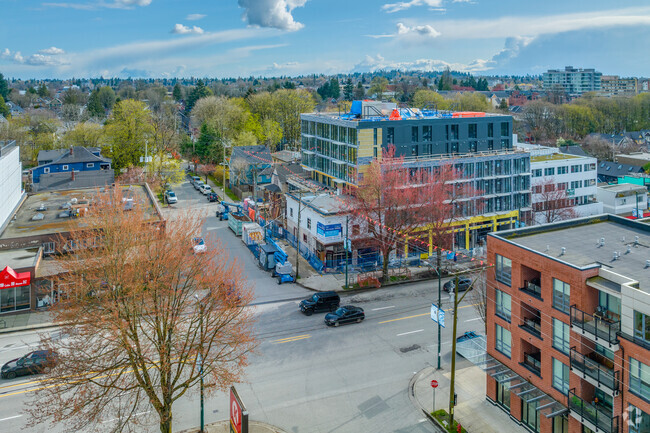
{"x":338,"y":148}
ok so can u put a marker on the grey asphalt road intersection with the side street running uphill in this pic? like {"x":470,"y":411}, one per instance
{"x":305,"y":377}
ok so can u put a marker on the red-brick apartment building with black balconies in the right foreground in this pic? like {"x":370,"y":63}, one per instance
{"x":569,"y":325}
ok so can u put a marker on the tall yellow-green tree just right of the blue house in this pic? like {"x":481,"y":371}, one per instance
{"x":128,"y":130}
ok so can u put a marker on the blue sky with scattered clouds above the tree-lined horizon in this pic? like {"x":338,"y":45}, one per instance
{"x":230,"y":38}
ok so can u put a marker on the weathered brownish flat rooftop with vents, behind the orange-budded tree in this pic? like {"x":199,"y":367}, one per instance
{"x":41,"y":213}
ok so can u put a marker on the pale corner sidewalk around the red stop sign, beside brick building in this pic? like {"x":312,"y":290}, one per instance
{"x":474,"y":412}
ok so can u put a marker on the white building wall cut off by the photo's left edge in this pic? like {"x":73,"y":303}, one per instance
{"x":11,"y":192}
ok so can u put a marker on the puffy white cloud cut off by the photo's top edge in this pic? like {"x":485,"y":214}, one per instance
{"x":272,"y":13}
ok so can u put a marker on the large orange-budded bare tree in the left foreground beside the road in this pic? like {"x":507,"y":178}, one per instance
{"x":146,"y":319}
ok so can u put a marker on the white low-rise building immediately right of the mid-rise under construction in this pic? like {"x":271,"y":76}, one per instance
{"x":560,"y":181}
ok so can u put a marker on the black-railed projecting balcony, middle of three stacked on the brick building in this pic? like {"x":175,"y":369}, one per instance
{"x":597,"y":370}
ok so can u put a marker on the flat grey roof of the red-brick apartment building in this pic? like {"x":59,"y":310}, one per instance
{"x":580,"y":238}
